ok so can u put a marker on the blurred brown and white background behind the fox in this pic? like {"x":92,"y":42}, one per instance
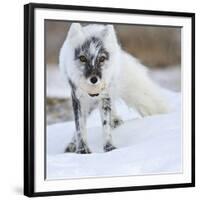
{"x":157,"y":47}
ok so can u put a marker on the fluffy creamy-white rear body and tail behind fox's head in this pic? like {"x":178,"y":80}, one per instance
{"x":138,"y":90}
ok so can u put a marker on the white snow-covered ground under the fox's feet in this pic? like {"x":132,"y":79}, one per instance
{"x":150,"y":145}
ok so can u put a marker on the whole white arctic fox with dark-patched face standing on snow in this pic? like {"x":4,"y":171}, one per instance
{"x":99,"y":71}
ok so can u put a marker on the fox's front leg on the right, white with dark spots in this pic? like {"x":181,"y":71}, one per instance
{"x":106,"y":121}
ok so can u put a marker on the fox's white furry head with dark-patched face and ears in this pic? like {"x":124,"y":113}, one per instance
{"x":90,"y":54}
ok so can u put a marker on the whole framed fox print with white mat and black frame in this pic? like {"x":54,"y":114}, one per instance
{"x":108,"y":99}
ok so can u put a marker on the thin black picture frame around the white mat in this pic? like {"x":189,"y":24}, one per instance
{"x":29,"y":95}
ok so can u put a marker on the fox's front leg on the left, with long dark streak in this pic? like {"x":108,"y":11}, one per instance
{"x":79,"y":141}
